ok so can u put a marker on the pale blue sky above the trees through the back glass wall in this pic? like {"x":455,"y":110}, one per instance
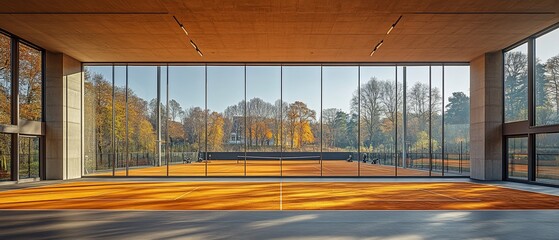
{"x":300,"y":83}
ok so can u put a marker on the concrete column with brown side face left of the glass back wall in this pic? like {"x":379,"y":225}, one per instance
{"x":63,"y":91}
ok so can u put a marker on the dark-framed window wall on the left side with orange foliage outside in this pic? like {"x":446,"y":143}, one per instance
{"x":21,"y":106}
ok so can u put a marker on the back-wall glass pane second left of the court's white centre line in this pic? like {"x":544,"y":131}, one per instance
{"x":225,"y":122}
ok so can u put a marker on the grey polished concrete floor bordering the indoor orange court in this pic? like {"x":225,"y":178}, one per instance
{"x":90,"y":224}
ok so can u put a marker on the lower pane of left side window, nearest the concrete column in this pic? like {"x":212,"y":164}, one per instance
{"x":29,"y":157}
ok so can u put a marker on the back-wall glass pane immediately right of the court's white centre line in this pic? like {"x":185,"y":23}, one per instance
{"x":301,"y":130}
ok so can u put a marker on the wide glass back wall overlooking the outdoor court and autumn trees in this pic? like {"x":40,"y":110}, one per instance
{"x":265,"y":120}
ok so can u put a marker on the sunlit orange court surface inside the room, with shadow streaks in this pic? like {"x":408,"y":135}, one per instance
{"x":274,"y":196}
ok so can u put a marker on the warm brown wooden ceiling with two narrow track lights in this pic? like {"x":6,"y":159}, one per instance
{"x":276,"y":30}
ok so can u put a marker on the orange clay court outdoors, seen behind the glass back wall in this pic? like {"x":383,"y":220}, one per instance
{"x":220,"y":168}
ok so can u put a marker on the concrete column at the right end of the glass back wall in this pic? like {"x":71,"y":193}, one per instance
{"x":486,"y":120}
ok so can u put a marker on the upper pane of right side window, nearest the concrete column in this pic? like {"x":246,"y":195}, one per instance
{"x":516,"y":84}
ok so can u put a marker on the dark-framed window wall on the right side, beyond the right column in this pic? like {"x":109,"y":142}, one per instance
{"x":531,"y":83}
